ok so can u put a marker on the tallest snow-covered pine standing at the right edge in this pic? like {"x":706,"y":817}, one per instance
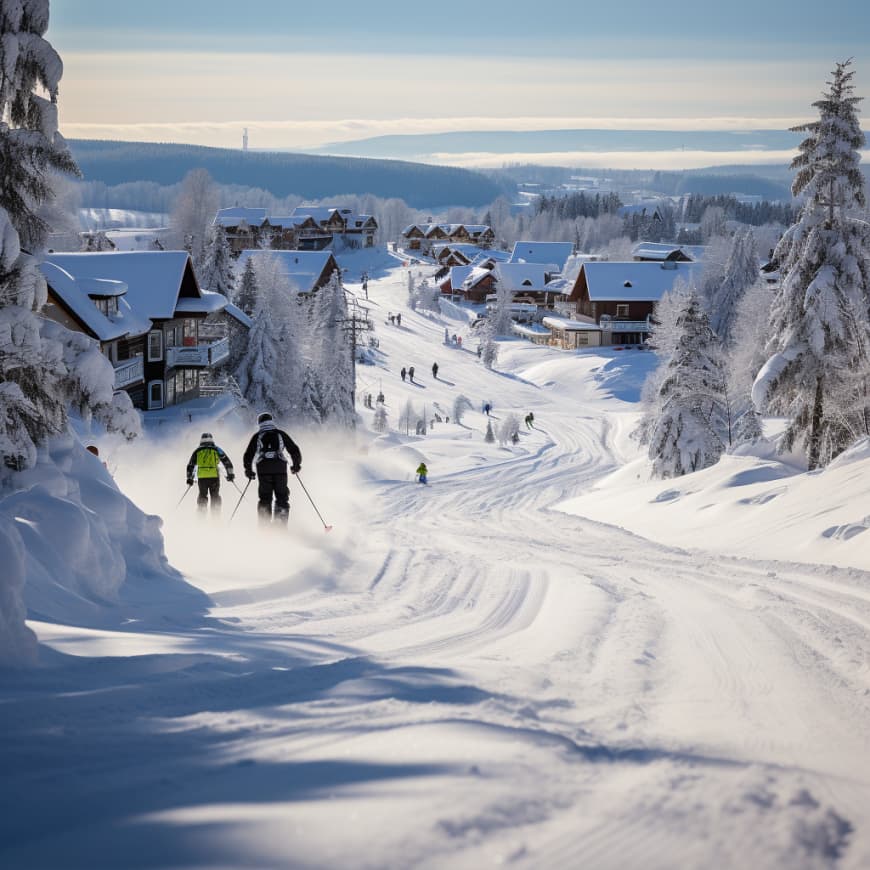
{"x":816,"y":373}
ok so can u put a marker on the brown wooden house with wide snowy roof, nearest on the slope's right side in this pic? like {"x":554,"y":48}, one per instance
{"x":620,"y":296}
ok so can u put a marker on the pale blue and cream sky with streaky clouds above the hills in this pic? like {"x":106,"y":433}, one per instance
{"x":299,"y":75}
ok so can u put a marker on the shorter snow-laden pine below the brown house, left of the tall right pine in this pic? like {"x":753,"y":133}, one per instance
{"x":686,"y":435}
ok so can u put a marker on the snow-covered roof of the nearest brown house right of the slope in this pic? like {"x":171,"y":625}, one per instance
{"x":636,"y":281}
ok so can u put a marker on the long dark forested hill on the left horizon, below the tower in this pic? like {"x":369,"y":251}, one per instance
{"x":285,"y":174}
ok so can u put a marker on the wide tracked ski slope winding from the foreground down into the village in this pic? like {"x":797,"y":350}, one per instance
{"x":463,"y":676}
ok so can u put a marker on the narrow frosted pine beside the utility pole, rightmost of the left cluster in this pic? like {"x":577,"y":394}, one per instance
{"x":331,"y":351}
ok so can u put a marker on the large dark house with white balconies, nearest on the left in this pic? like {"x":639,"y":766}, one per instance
{"x":161,"y":290}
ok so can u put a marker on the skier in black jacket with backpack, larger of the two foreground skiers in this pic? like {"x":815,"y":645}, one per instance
{"x":266,"y":451}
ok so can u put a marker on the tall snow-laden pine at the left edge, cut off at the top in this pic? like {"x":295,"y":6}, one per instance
{"x":38,"y":375}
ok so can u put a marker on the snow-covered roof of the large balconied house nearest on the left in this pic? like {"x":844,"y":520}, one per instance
{"x":154,"y":278}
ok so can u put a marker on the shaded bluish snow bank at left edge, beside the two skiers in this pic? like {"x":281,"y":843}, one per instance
{"x":69,"y":542}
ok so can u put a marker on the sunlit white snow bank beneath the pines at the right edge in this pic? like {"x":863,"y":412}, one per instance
{"x":751,"y":505}
